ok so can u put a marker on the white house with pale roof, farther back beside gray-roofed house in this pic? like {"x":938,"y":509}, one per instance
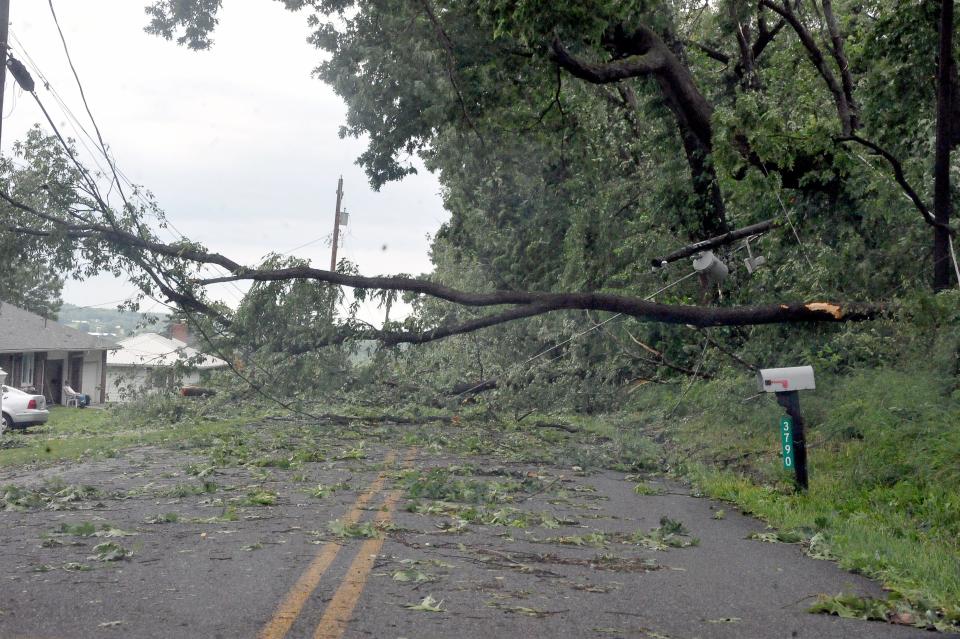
{"x":151,"y":362}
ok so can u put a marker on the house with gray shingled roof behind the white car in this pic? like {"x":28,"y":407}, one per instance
{"x":41,"y":354}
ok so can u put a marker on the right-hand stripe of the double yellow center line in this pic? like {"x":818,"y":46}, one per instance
{"x":337,"y":615}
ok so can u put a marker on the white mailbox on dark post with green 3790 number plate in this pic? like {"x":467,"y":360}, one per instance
{"x":786,"y":384}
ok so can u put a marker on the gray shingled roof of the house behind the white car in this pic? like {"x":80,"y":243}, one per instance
{"x":23,"y":331}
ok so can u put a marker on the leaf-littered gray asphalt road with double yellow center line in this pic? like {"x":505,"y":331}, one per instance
{"x":231,"y":567}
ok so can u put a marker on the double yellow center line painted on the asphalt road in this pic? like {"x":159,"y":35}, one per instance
{"x":338,"y":612}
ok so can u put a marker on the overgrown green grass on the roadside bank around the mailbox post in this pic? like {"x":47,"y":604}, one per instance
{"x":884,"y":462}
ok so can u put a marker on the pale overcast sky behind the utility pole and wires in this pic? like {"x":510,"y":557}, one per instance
{"x":239,"y":144}
